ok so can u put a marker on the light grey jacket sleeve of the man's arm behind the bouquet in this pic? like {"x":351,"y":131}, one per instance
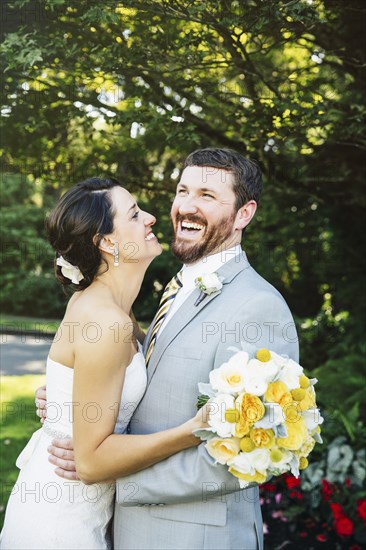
{"x":192,"y":475}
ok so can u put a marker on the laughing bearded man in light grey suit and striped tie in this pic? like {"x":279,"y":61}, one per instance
{"x":187,"y":501}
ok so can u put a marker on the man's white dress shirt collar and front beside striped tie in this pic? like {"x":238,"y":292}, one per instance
{"x":190,"y":272}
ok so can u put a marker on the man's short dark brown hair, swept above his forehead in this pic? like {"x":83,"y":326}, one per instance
{"x":247,"y":175}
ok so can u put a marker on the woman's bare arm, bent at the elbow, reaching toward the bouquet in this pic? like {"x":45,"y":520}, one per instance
{"x":99,"y":372}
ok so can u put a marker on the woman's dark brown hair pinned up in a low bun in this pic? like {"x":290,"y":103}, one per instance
{"x":75,"y":227}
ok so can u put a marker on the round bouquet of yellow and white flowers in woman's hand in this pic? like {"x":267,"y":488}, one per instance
{"x":263,"y":418}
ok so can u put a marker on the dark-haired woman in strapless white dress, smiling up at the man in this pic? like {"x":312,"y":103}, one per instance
{"x":95,"y":376}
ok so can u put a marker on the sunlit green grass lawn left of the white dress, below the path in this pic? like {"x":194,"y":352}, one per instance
{"x":18,"y":422}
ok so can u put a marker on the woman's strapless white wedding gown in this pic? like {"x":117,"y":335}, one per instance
{"x":48,"y":512}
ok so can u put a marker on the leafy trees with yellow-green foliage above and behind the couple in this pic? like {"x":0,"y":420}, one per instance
{"x":128,"y":88}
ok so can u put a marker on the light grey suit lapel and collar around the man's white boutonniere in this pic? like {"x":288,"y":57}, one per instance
{"x":188,"y":310}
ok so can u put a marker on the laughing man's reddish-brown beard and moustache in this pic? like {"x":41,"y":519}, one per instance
{"x":216,"y":235}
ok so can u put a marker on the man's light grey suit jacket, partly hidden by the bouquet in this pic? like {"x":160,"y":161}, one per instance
{"x":187,"y":501}
